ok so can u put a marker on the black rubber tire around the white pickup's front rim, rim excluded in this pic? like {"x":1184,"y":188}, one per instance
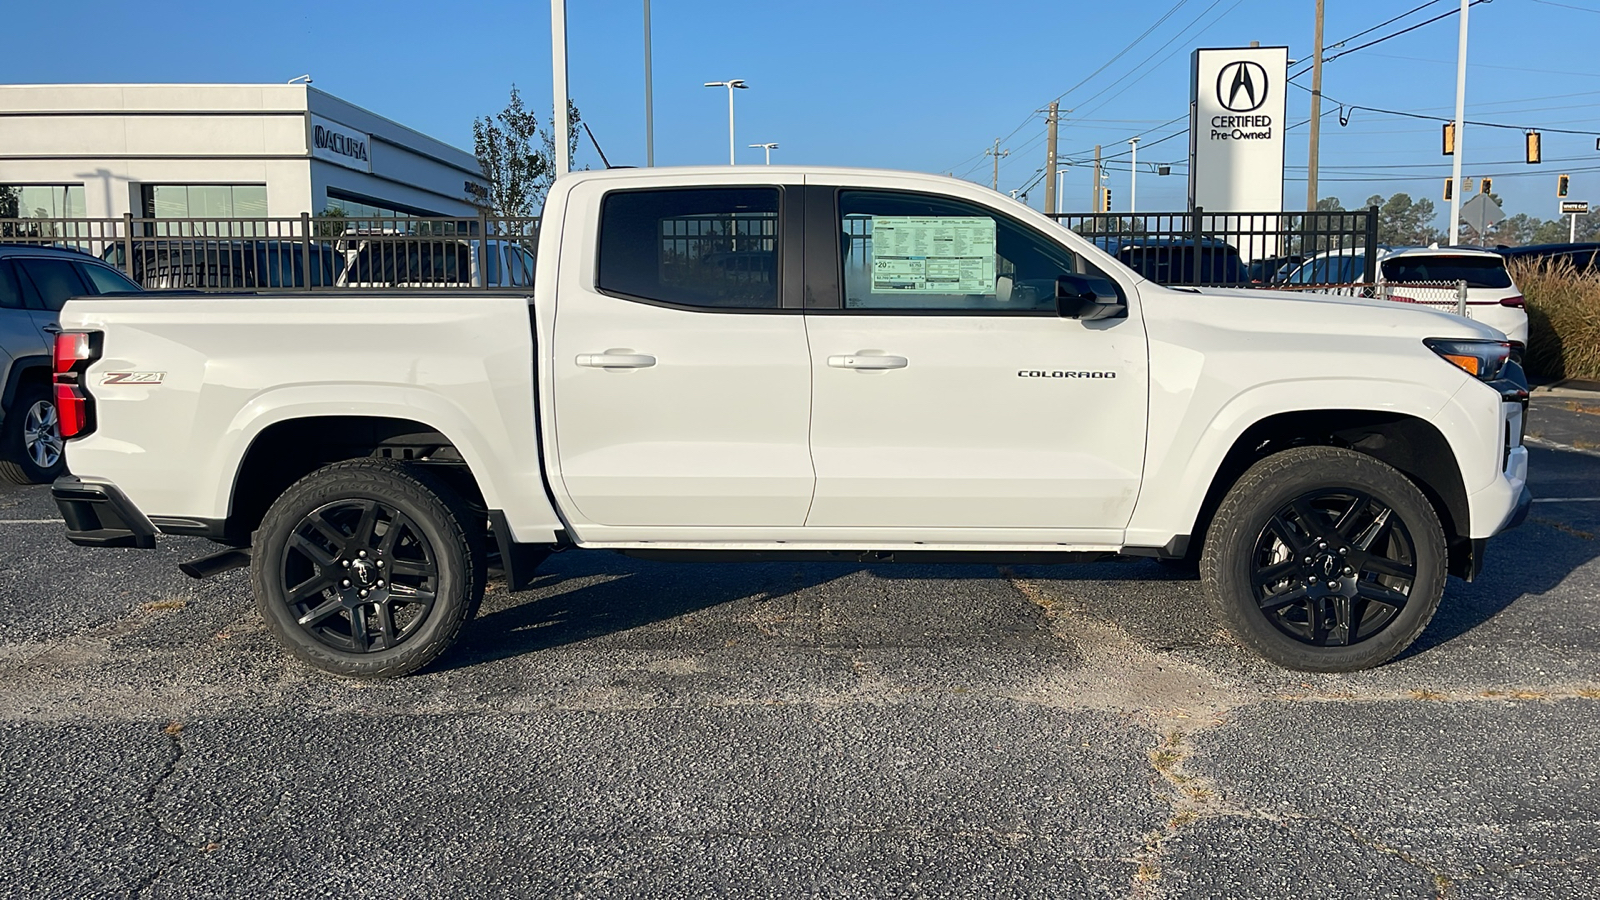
{"x":1228,"y":566}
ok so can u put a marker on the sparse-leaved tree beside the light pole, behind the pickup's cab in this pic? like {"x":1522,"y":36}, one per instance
{"x":518,"y":158}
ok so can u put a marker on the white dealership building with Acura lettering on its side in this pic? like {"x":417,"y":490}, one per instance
{"x":217,"y":151}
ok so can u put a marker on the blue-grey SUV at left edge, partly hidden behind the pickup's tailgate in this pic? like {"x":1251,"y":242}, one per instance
{"x":34,"y":286}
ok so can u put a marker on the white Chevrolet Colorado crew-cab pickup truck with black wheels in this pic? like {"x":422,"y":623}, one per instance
{"x":796,"y":364}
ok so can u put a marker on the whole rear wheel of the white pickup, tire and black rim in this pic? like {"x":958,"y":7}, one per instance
{"x":369,"y":568}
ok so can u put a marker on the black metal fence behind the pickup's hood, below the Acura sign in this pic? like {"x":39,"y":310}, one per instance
{"x":1284,"y":251}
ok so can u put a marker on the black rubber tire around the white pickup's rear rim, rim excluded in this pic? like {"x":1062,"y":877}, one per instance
{"x":438,"y":512}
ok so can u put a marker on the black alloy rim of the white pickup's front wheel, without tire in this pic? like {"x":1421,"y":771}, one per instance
{"x":1334,"y":568}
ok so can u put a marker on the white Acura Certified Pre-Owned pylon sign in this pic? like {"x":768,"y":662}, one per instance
{"x":1236,"y":131}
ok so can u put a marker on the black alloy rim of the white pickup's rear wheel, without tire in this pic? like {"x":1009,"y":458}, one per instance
{"x":359,"y":576}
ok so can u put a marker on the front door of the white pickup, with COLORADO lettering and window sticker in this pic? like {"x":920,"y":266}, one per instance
{"x":950,"y":395}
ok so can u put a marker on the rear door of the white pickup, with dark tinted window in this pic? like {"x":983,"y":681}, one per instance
{"x":682,"y":384}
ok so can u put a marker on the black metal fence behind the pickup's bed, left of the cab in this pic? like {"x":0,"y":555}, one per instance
{"x":300,"y":254}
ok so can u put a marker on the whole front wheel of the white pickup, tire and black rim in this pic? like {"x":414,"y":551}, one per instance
{"x":1326,"y":560}
